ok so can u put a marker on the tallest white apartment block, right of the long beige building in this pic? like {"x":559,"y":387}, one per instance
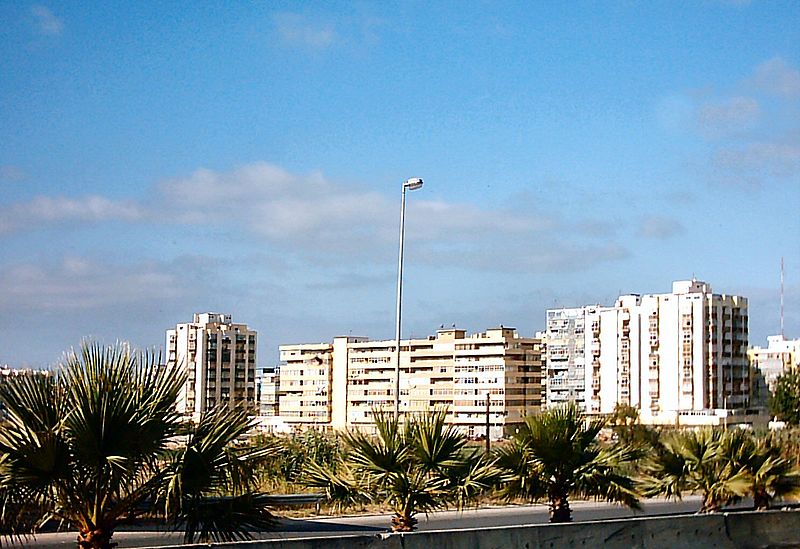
{"x":676,"y":357}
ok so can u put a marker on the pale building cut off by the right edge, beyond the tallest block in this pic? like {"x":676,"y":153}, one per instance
{"x":781,"y":355}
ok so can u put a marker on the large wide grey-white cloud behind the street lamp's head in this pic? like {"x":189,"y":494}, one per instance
{"x":312,"y":217}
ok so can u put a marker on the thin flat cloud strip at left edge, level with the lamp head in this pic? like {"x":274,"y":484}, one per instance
{"x":49,"y":210}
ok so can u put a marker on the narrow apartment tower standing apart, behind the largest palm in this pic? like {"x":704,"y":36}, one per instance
{"x":219,"y":357}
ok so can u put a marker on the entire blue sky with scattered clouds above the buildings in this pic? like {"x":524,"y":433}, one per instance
{"x":159,"y":159}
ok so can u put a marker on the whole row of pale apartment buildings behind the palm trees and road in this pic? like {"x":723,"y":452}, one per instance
{"x":680,"y":358}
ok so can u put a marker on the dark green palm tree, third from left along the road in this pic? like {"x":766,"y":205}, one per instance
{"x":557,"y":455}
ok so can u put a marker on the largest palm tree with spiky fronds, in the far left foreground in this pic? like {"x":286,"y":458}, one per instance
{"x":97,"y":442}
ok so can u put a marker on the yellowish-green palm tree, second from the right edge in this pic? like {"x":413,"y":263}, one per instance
{"x":705,"y":461}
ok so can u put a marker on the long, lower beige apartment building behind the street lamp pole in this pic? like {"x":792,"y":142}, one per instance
{"x":340,"y":384}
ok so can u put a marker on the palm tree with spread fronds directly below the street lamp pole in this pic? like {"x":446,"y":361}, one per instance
{"x":417,"y":466}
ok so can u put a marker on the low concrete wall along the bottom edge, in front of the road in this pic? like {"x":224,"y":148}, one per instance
{"x":740,"y":530}
